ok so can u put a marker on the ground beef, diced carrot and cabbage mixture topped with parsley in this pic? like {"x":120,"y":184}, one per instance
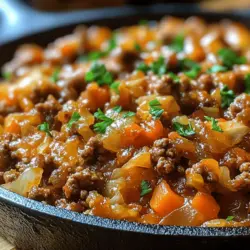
{"x":148,"y":123}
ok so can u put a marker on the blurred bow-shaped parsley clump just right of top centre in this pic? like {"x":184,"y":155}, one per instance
{"x":159,"y":66}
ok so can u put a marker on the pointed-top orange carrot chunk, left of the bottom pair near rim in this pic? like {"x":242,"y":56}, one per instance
{"x":164,"y":200}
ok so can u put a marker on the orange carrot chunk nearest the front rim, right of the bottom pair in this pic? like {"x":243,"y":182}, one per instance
{"x":206,"y":205}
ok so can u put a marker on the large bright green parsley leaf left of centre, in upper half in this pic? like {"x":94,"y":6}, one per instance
{"x":99,"y":73}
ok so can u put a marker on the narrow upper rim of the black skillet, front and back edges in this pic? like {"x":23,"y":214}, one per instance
{"x":38,"y":208}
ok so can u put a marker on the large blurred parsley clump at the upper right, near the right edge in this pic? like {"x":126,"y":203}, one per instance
{"x":230,"y":58}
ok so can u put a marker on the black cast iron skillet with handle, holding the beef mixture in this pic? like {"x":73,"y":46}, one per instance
{"x":30,"y":224}
